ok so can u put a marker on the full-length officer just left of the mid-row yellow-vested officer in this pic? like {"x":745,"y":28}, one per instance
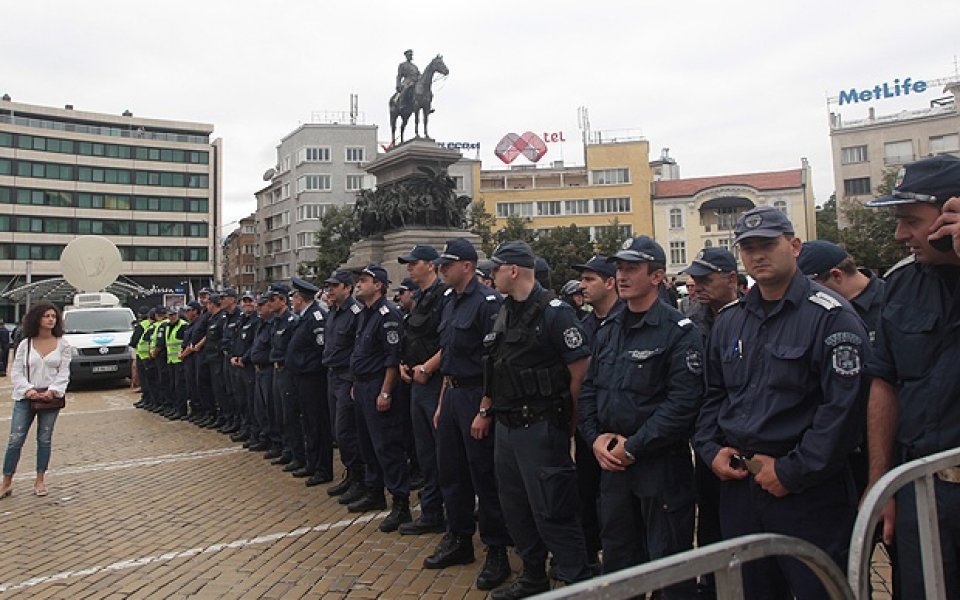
{"x":305,"y":361}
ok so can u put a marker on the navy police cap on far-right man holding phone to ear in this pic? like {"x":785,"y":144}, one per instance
{"x":934,"y":180}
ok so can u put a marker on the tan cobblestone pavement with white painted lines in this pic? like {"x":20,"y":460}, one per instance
{"x":141,"y":507}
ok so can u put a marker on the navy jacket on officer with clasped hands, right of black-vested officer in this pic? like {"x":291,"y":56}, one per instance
{"x":645,"y":381}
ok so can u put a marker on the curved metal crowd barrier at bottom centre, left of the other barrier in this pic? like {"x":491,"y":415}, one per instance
{"x":723,"y":559}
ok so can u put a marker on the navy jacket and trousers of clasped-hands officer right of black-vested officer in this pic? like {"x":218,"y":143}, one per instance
{"x":645,"y":382}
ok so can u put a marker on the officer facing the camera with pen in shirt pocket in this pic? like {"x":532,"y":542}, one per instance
{"x":783,"y":407}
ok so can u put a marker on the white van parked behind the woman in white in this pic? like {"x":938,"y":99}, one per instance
{"x":99,"y":330}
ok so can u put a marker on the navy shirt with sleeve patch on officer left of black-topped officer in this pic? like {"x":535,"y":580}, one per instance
{"x":378,"y":339}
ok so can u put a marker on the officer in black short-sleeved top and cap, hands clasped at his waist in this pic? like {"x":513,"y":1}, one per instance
{"x":420,"y":360}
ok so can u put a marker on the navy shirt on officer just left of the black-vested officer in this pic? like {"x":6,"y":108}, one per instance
{"x":466,"y":319}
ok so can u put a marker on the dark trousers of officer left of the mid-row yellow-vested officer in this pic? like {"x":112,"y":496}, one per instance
{"x":317,"y":433}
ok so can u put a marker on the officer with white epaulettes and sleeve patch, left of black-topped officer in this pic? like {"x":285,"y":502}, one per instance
{"x":375,"y":364}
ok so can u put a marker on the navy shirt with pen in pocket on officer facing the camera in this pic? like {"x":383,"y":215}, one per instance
{"x":788,"y":384}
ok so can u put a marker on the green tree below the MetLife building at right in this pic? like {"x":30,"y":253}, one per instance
{"x":868,"y":234}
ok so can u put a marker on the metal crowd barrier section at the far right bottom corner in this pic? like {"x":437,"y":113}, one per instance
{"x":921,"y":473}
